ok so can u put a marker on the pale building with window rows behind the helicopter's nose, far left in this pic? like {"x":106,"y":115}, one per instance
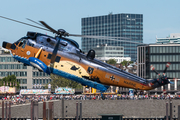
{"x":27,"y":76}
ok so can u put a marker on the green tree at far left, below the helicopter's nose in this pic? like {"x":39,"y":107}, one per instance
{"x":10,"y":81}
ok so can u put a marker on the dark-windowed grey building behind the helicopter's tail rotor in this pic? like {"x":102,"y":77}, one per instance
{"x":159,"y":55}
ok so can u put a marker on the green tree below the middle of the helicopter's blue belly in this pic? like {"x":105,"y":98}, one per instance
{"x":62,"y":82}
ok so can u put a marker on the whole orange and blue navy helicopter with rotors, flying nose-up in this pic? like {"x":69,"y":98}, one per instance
{"x":61,"y":56}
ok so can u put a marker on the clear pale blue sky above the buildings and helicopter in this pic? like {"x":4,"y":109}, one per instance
{"x":160,"y":17}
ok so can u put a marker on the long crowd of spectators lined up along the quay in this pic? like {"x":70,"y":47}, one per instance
{"x":23,"y":99}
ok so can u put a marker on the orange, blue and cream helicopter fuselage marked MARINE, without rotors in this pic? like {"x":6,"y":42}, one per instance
{"x":69,"y":60}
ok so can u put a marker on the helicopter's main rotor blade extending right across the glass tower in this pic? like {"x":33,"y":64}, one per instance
{"x":105,"y":38}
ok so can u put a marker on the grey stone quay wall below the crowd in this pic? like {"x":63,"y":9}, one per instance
{"x":91,"y":108}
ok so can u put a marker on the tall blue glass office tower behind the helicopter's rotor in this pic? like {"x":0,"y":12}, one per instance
{"x":116,"y":25}
